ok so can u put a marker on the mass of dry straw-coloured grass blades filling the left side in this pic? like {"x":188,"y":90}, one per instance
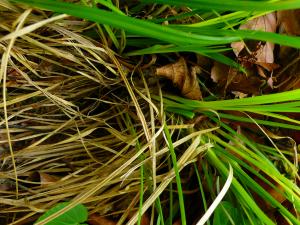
{"x":68,"y":109}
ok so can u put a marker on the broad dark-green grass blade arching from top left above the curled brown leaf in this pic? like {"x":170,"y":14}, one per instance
{"x":140,"y":27}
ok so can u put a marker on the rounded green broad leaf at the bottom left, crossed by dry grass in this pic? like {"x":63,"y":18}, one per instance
{"x":75,"y":216}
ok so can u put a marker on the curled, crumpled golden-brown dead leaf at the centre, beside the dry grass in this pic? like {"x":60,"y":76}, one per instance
{"x":181,"y":77}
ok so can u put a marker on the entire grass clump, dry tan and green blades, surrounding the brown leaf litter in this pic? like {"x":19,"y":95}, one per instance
{"x":83,"y":121}
